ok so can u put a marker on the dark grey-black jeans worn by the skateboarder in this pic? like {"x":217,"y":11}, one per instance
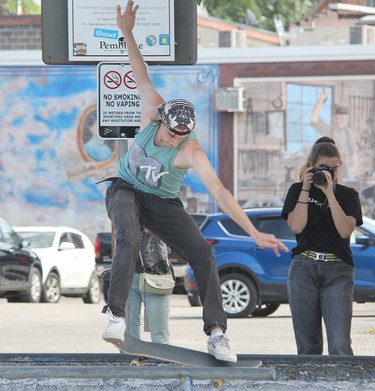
{"x":130,"y":209}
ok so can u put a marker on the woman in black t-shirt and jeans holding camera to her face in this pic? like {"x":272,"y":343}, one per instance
{"x":322,"y":214}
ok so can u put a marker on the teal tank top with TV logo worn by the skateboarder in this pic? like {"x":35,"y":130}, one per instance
{"x":149,"y":168}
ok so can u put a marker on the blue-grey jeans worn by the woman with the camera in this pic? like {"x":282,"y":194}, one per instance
{"x":317,"y":290}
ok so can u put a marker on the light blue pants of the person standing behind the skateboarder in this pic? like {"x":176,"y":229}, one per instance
{"x":156,"y":311}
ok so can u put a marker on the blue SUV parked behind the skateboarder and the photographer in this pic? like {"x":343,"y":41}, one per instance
{"x":253,"y":280}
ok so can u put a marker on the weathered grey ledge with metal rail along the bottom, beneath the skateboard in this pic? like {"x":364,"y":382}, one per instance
{"x":91,"y":372}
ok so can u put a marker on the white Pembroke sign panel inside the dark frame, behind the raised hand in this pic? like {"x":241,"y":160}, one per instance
{"x":93,"y":33}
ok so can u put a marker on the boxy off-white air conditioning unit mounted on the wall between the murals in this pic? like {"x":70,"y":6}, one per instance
{"x":230,"y":99}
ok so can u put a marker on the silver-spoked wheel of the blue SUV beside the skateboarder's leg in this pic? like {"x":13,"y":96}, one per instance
{"x":239,"y":295}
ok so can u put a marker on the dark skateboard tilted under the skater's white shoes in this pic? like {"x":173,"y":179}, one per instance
{"x":176,"y":354}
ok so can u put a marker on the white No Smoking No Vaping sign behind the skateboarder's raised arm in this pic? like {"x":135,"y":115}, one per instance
{"x":119,"y":104}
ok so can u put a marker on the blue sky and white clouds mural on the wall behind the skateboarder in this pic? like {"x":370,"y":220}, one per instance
{"x":51,"y":156}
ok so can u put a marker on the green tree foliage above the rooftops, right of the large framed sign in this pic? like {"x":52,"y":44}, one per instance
{"x":259,"y":13}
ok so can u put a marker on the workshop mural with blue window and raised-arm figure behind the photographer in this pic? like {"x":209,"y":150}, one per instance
{"x":283,"y":118}
